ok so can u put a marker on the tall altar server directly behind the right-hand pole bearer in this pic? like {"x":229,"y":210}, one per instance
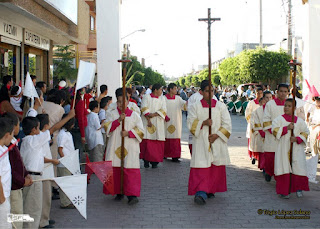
{"x":274,"y":108}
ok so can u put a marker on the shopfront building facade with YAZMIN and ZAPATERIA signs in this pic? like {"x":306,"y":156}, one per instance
{"x":30,"y":28}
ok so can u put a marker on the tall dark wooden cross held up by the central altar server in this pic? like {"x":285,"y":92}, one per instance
{"x":209,"y":20}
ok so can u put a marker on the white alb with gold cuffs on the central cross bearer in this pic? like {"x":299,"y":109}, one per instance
{"x":221,"y":125}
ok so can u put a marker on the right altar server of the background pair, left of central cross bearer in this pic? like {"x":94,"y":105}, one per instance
{"x":173,"y":124}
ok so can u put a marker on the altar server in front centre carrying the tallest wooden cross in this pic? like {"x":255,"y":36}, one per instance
{"x":208,"y":171}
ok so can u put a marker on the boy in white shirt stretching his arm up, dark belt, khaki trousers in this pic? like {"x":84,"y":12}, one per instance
{"x":33,"y":156}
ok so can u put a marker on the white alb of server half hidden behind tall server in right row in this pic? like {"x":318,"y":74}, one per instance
{"x":257,"y":124}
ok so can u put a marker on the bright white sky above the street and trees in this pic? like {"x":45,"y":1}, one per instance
{"x":175,"y":42}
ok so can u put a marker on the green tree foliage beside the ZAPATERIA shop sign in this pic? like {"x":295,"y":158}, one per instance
{"x":63,"y":63}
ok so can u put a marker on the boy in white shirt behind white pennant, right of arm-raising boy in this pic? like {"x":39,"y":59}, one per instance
{"x":65,"y":147}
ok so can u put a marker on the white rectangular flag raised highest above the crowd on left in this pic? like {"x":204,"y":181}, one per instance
{"x":86,"y":73}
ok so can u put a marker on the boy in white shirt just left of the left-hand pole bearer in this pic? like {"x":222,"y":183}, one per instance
{"x":94,"y":134}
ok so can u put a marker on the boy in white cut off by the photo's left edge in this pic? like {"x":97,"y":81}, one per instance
{"x":6,"y":135}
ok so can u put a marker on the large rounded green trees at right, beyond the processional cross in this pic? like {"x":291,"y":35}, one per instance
{"x":258,"y":65}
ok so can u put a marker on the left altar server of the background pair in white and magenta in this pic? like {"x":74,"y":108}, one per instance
{"x":154,"y":112}
